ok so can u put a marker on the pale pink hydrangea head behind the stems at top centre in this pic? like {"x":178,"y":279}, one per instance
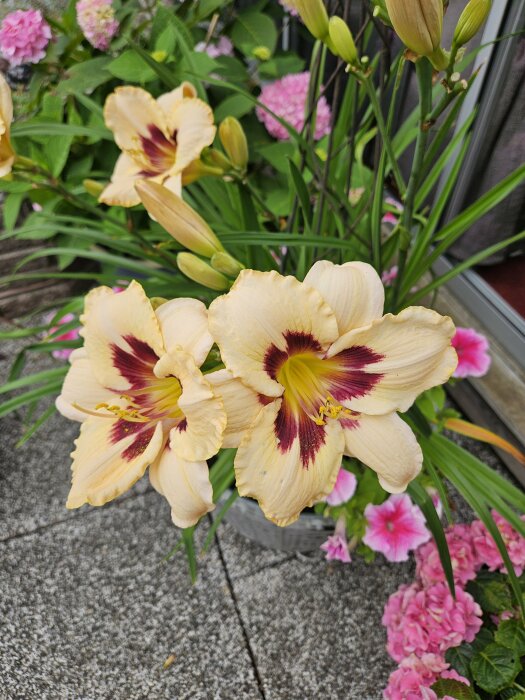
{"x":287,"y":97}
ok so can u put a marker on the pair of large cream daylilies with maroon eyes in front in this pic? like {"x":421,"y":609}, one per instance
{"x":308,"y":372}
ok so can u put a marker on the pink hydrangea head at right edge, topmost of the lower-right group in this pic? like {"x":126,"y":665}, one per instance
{"x":486,"y":550}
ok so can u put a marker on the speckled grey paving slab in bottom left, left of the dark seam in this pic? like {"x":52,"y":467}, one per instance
{"x":89,"y":612}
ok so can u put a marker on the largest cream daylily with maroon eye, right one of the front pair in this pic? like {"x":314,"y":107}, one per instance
{"x":329,"y":372}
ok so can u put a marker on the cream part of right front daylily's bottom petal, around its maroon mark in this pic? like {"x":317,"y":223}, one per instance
{"x":278,"y":480}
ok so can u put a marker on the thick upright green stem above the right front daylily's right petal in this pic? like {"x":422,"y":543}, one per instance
{"x":424,"y":77}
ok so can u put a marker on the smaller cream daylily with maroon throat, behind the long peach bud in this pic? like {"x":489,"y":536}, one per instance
{"x":159,"y":139}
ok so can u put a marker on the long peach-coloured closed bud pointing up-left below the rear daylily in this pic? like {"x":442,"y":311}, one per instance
{"x":179,"y":219}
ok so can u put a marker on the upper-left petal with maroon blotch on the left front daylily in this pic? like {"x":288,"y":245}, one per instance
{"x":119,"y":328}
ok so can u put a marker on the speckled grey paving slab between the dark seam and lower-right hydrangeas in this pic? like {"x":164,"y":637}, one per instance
{"x":315,"y":628}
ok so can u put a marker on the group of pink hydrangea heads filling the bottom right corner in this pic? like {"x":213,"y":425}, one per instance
{"x":423,"y":620}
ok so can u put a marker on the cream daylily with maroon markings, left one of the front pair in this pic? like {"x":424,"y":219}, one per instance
{"x":143,"y":401}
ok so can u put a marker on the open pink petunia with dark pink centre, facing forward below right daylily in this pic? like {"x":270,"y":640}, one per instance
{"x":395,"y":527}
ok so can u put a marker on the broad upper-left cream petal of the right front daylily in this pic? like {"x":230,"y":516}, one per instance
{"x":261,"y":310}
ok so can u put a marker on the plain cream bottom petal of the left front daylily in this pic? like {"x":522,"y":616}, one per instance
{"x":185,"y":485}
